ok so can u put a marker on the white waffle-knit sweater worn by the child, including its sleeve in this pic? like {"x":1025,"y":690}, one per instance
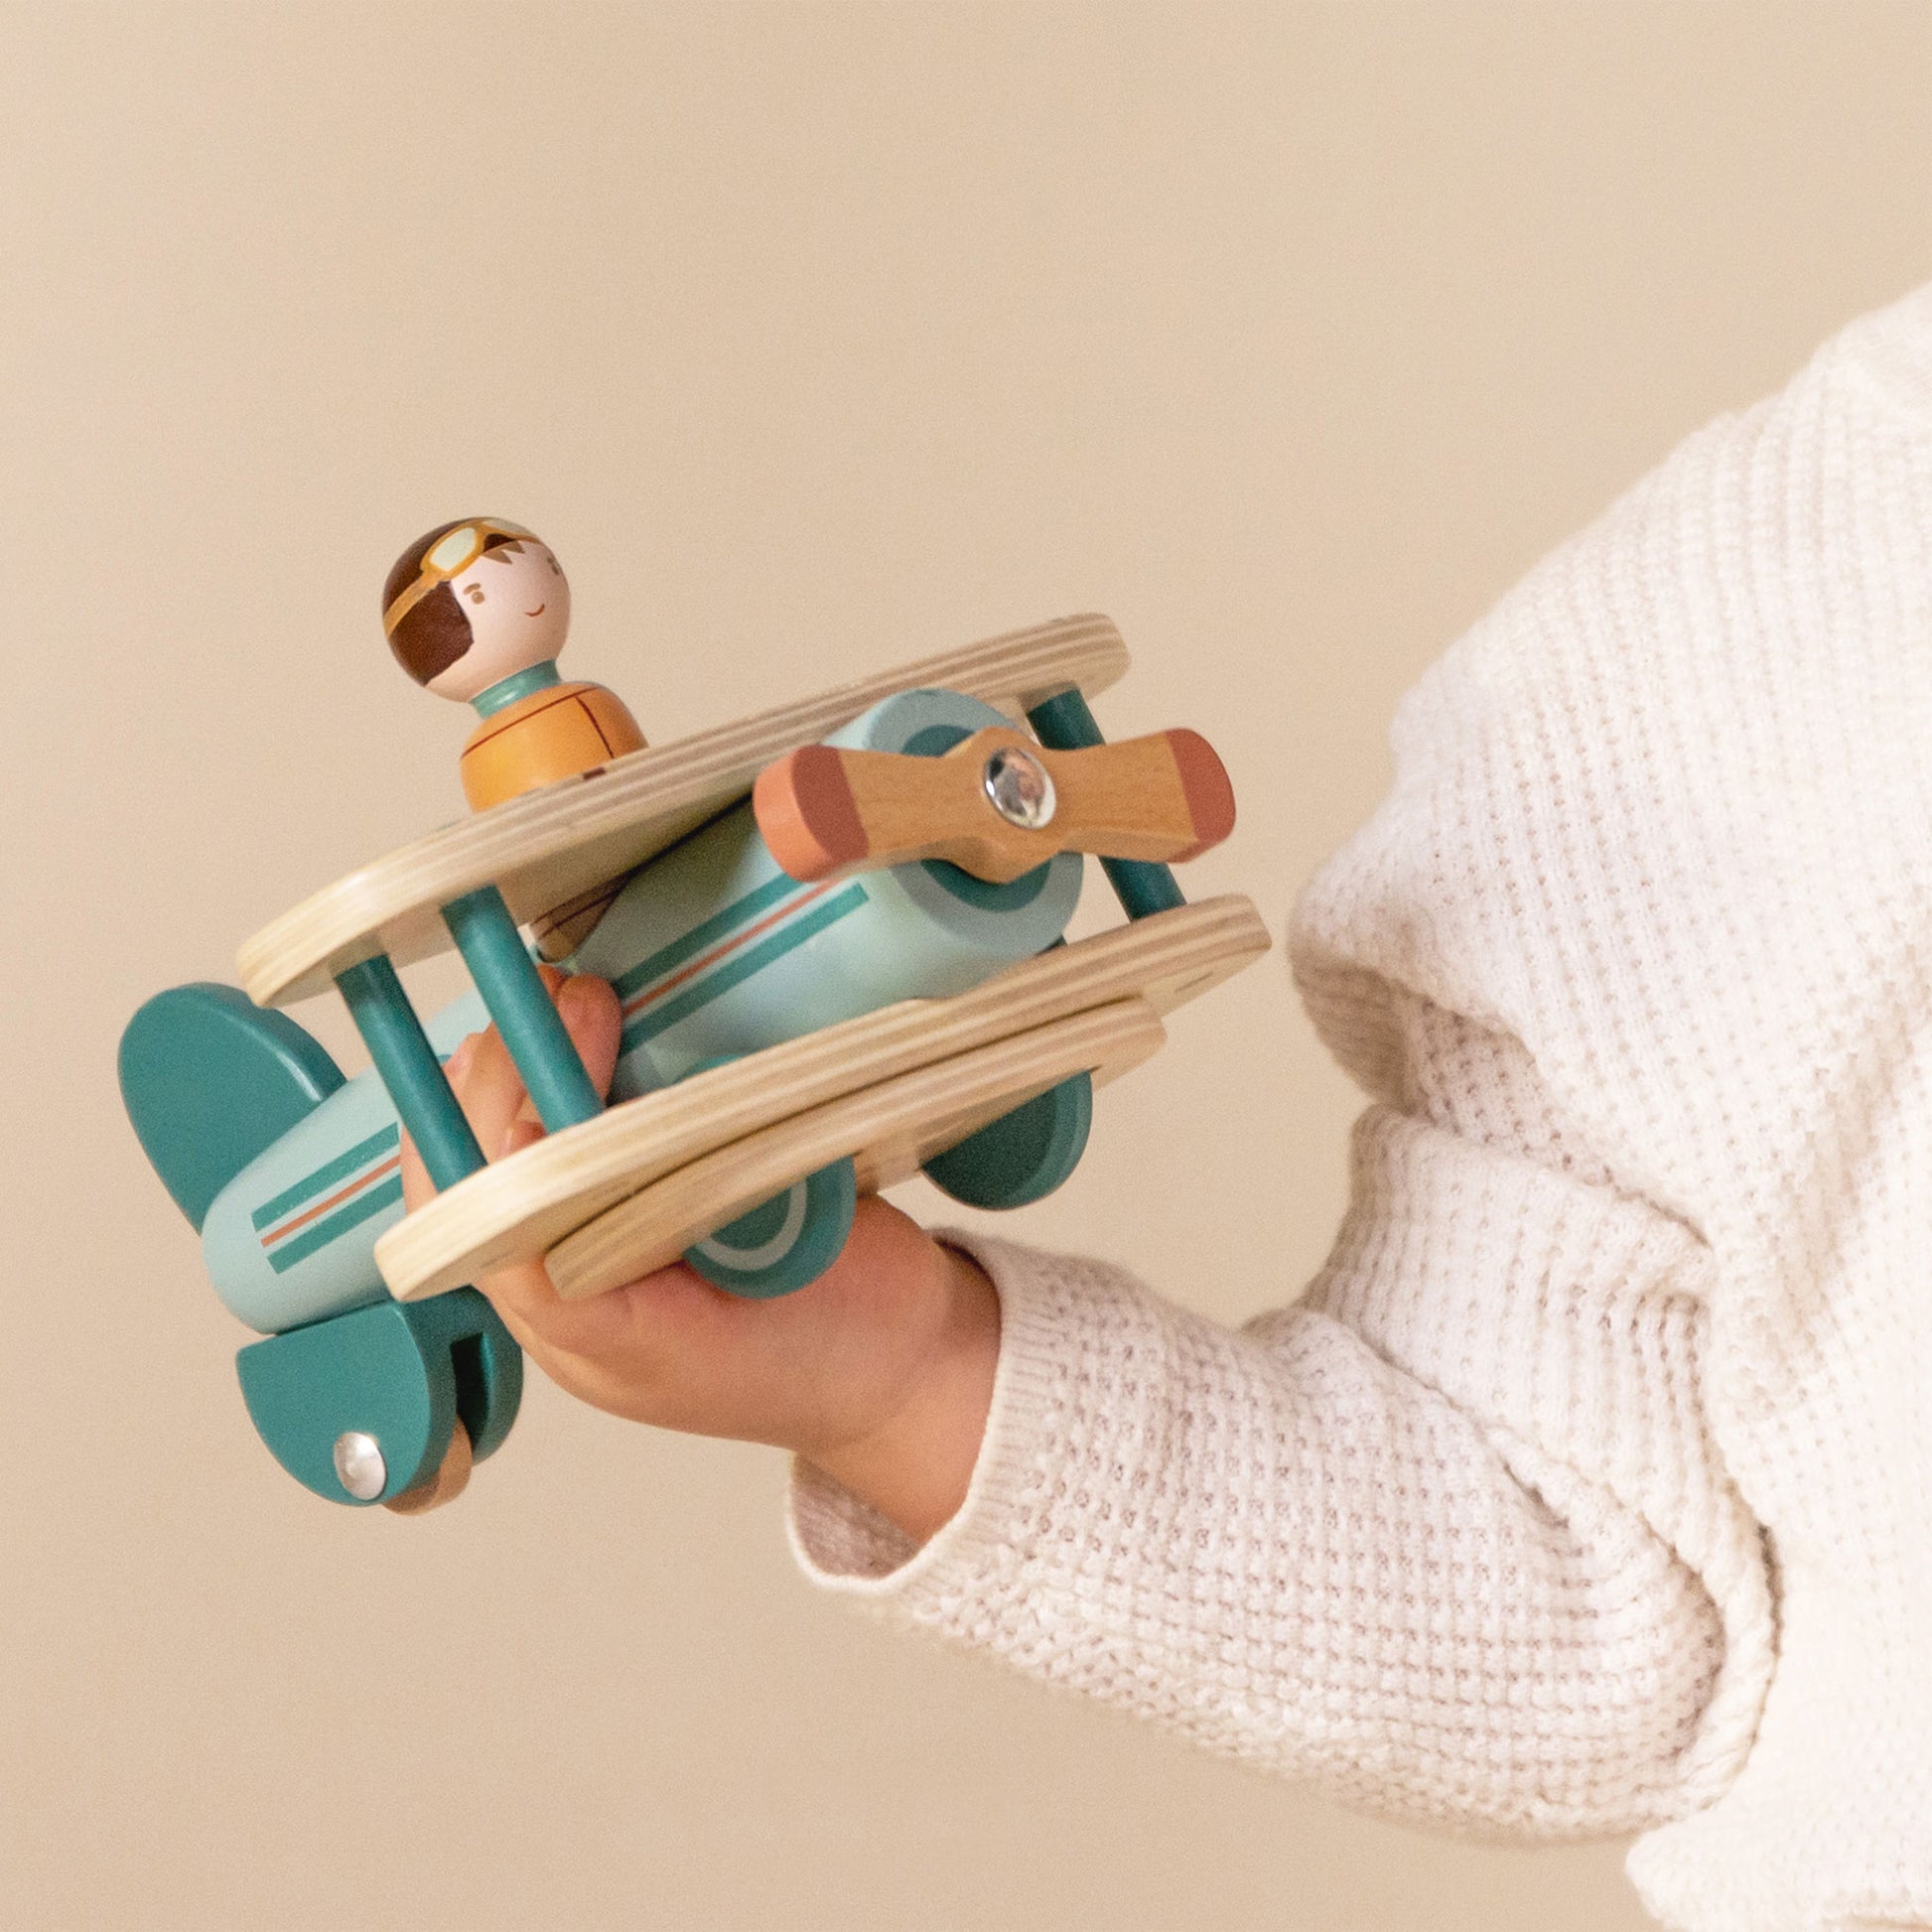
{"x":1589,"y":1487}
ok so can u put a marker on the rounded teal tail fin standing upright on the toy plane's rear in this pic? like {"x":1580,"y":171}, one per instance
{"x":210,"y":1081}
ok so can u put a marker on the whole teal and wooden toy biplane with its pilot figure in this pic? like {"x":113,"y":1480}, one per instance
{"x":838,"y":938}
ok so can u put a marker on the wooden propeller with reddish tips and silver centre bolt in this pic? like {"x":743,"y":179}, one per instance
{"x":998,"y":805}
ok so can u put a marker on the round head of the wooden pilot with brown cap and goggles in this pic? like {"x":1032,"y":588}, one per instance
{"x":472,"y":604}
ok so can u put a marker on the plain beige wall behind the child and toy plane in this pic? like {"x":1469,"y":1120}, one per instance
{"x":814,"y":337}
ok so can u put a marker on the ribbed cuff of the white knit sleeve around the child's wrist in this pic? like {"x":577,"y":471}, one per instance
{"x":847,"y":1547}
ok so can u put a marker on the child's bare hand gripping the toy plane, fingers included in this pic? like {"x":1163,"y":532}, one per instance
{"x":880,"y":1373}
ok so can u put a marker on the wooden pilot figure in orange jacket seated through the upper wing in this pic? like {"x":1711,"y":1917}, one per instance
{"x":478,"y":611}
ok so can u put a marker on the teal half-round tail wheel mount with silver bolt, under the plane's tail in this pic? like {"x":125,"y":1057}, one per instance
{"x":362,"y":1407}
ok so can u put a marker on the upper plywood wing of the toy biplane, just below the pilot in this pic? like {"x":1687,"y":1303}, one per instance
{"x":552,"y":845}
